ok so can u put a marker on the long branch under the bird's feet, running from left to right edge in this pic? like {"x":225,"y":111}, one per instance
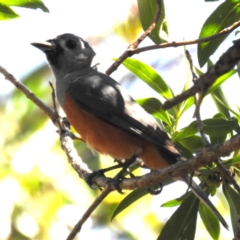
{"x":204,"y":157}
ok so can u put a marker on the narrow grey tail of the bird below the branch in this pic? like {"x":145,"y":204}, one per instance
{"x":204,"y":198}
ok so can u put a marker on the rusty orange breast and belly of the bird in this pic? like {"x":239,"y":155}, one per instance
{"x":111,"y":140}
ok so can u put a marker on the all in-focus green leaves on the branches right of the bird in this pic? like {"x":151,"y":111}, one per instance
{"x":223,"y":124}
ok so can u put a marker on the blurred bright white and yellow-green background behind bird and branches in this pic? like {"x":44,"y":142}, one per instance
{"x":41,"y":197}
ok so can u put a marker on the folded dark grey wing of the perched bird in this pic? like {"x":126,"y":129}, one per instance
{"x":103,"y":97}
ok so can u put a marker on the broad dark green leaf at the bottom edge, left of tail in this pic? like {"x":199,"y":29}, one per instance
{"x":182,"y":224}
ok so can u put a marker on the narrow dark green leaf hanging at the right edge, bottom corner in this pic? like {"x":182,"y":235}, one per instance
{"x":233,"y":199}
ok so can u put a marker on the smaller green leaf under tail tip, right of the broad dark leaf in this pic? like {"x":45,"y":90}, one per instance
{"x":210,"y":221}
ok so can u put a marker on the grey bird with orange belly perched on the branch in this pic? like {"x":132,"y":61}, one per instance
{"x":107,"y":118}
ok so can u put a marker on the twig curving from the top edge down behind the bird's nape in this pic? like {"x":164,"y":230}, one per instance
{"x":135,"y":45}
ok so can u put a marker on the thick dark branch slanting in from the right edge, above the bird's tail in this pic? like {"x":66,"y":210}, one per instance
{"x":225,"y":63}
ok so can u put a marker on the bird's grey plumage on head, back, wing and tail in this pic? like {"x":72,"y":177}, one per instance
{"x":70,"y":58}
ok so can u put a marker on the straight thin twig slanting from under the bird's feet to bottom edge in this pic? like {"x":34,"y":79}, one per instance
{"x":89,"y":211}
